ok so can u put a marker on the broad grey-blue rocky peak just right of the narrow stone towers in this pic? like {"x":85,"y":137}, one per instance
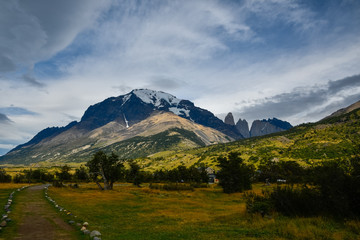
{"x":263,"y":127}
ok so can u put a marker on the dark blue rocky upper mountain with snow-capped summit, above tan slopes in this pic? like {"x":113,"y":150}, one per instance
{"x":139,"y":104}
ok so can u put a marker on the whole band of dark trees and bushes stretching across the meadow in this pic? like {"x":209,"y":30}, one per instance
{"x":327,"y":188}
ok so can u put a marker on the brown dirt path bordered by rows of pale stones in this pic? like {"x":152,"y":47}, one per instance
{"x":38,"y":219}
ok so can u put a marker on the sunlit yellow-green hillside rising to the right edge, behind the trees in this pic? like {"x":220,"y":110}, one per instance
{"x":329,"y":139}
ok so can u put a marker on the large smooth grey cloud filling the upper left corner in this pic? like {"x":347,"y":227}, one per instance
{"x":36,"y":30}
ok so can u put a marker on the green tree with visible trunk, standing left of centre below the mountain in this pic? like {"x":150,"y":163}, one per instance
{"x":105,"y":168}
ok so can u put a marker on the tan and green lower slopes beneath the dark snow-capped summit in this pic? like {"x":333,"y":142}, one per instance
{"x":161,"y":131}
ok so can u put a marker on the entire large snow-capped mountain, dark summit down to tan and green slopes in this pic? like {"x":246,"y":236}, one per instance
{"x":147,"y":120}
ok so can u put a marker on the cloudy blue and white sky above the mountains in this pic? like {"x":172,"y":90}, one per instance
{"x":296,"y":60}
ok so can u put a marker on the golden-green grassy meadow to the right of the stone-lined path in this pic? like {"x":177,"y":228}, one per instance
{"x":129,"y":212}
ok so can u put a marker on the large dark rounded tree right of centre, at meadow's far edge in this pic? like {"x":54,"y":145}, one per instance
{"x":234,"y":174}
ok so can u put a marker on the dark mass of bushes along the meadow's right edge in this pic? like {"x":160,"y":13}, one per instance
{"x":335,"y":191}
